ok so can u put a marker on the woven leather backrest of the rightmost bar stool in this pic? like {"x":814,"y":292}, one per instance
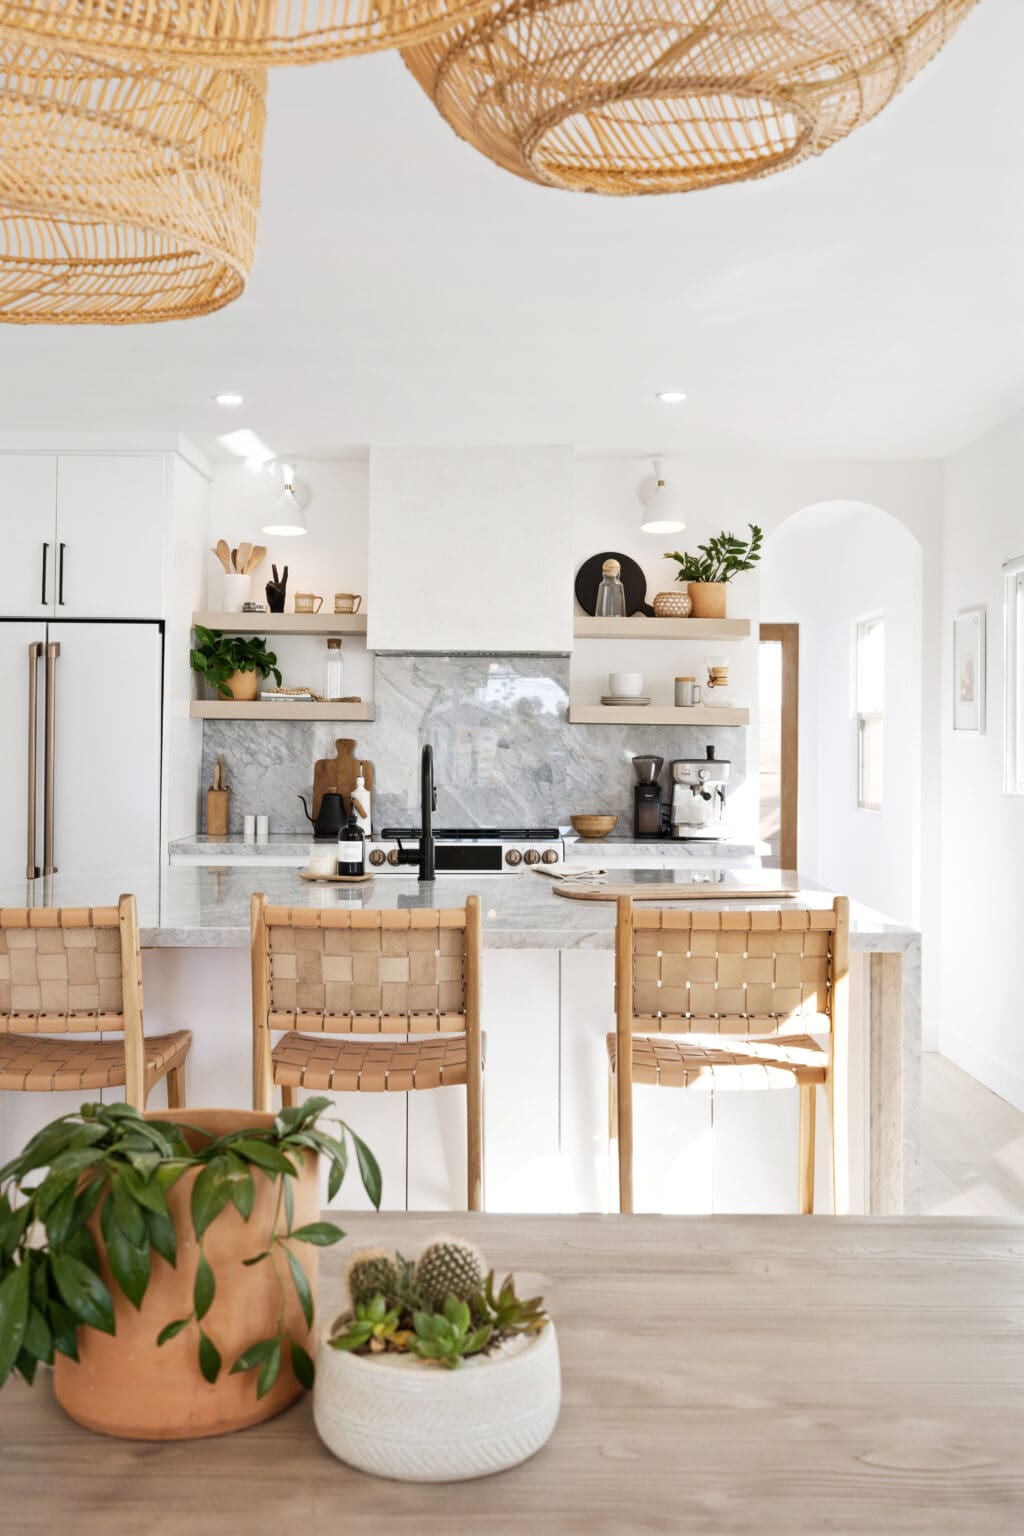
{"x":764,"y":973}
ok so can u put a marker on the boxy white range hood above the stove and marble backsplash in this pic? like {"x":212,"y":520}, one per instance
{"x":471,"y":551}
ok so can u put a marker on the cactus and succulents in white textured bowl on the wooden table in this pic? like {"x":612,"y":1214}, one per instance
{"x":435,"y":1374}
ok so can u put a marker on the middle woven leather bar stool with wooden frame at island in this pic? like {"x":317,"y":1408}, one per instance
{"x":322,"y":973}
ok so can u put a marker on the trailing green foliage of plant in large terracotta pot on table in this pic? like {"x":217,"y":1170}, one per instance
{"x":111,"y":1159}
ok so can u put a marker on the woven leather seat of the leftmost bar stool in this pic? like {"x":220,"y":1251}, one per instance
{"x":36,"y":1064}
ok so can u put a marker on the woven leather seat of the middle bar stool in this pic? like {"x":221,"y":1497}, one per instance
{"x":369,"y":1067}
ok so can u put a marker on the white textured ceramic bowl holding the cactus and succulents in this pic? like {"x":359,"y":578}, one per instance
{"x":397,"y":1417}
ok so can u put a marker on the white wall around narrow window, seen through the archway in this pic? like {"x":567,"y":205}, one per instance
{"x":825,"y":569}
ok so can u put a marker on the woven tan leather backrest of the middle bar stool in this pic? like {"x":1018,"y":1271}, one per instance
{"x":366,"y":973}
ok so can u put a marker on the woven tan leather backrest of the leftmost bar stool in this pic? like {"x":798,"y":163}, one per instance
{"x":61,"y":970}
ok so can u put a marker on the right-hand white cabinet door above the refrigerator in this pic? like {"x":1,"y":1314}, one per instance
{"x":110,"y":535}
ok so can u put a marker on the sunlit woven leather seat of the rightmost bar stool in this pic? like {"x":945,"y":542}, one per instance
{"x":756,"y":1064}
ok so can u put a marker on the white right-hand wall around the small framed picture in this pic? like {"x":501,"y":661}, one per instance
{"x":983,"y":830}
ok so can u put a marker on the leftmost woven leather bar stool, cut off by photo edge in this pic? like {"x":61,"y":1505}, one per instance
{"x":71,"y":972}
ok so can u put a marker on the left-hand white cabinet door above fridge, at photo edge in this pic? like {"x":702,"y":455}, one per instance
{"x":28,"y":535}
